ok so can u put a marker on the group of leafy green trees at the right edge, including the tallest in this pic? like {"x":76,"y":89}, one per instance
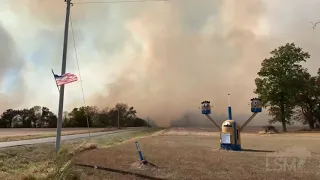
{"x":287,"y":89}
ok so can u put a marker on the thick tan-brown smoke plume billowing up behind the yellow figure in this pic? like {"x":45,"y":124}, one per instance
{"x":194,"y":51}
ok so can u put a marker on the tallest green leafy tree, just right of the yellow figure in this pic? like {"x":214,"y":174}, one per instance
{"x":280,"y":78}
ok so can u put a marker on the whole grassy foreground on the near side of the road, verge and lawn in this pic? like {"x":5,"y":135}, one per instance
{"x":178,"y":153}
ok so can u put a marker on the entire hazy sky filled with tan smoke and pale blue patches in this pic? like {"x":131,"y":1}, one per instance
{"x":163,"y":58}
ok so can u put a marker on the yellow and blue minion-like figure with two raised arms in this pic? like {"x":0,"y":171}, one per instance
{"x":230,"y":136}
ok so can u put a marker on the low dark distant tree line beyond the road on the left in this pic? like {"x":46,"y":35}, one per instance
{"x":42,"y":117}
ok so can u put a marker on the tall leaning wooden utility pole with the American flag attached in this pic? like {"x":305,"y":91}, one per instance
{"x":63,"y":71}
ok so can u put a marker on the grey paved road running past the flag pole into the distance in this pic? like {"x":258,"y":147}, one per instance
{"x":63,"y":138}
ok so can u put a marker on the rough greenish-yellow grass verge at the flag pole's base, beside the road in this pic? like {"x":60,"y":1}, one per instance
{"x":40,"y":161}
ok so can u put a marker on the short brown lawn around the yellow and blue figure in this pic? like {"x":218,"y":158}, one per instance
{"x":181,"y":153}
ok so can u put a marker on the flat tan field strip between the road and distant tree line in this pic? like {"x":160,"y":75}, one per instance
{"x":16,"y":134}
